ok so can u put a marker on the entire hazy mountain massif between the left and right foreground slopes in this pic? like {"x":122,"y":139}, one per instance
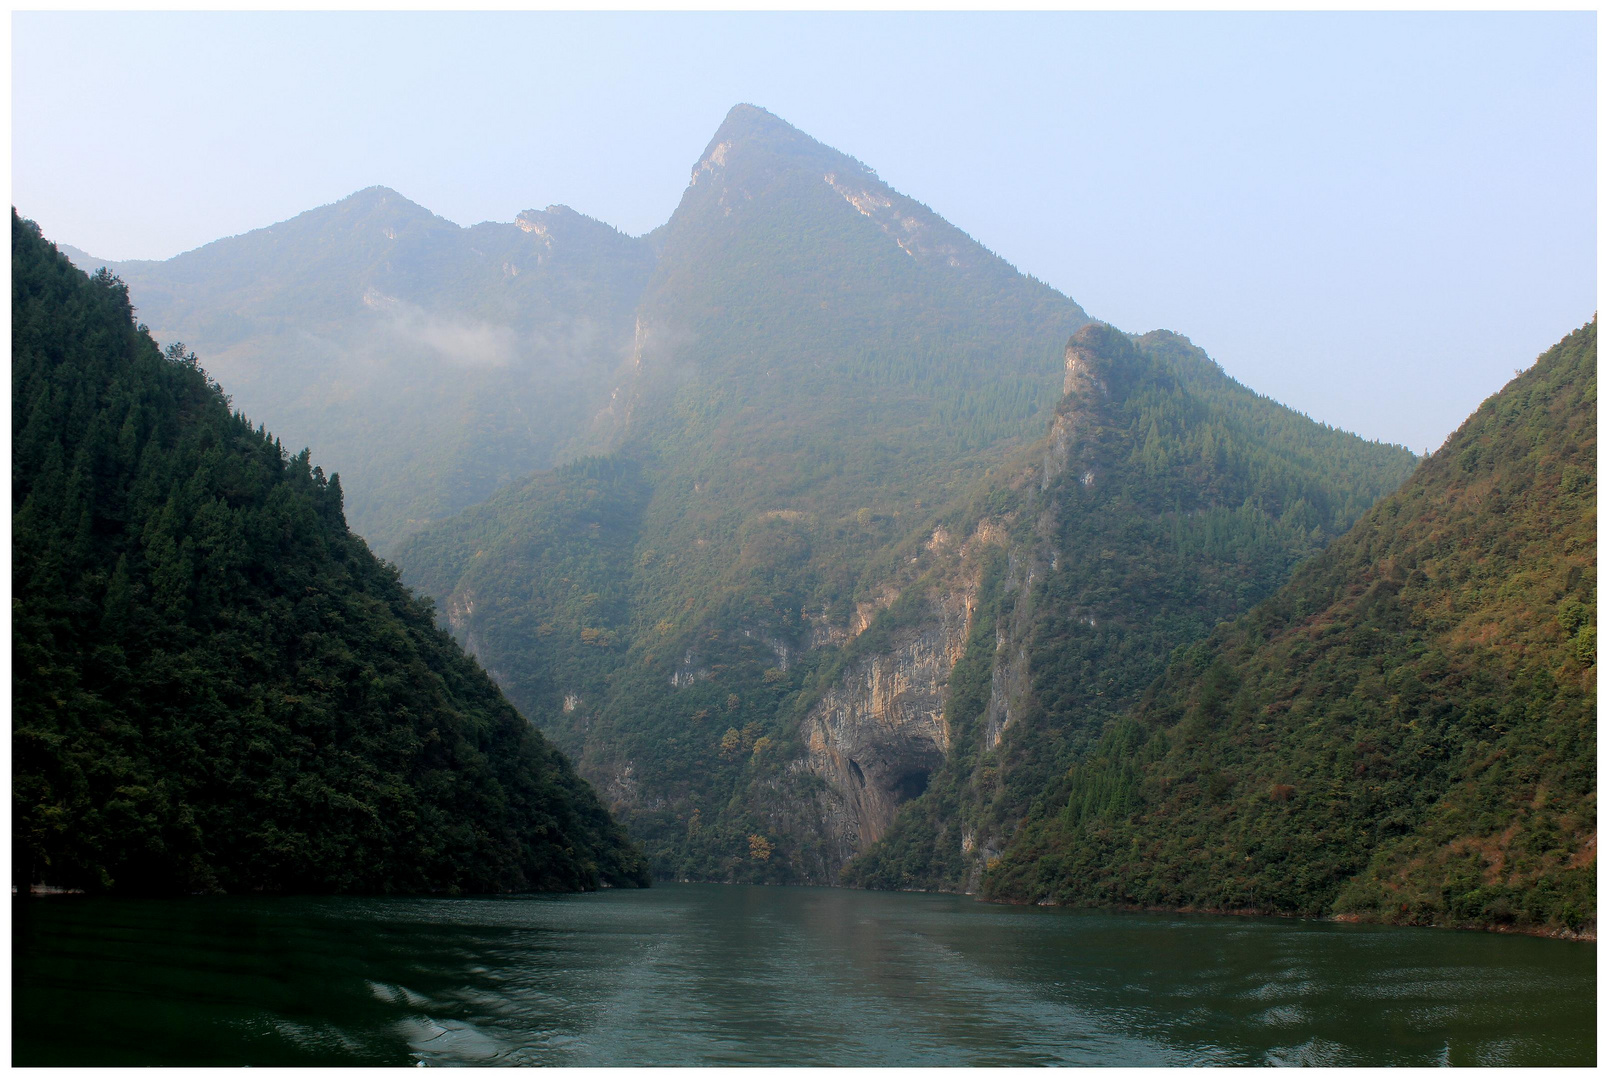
{"x":851,"y":555}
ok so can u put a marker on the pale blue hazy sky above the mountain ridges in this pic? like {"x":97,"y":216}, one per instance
{"x":1371,"y":218}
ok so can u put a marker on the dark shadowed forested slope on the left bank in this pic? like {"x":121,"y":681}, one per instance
{"x":218,"y":687}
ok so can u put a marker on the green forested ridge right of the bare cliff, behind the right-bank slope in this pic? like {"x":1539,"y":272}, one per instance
{"x":1179,"y":499}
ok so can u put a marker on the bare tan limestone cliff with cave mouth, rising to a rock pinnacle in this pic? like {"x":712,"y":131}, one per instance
{"x":880,"y":732}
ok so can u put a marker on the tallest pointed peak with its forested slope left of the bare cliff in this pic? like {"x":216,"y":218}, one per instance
{"x":819,"y":366}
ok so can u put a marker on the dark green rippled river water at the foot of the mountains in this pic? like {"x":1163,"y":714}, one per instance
{"x":734,"y":975}
